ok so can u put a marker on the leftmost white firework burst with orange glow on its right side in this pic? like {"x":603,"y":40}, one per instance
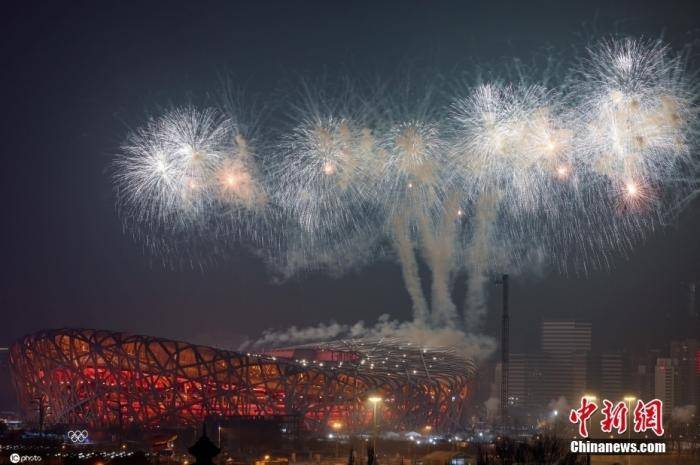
{"x":187,"y":171}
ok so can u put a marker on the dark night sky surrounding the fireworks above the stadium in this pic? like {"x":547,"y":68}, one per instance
{"x":76,"y":77}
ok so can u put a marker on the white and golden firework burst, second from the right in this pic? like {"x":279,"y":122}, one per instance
{"x":511,"y":139}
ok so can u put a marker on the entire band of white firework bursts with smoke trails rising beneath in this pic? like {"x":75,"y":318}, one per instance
{"x":570,"y":175}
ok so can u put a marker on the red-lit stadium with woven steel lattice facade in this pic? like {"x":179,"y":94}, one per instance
{"x":105,"y":379}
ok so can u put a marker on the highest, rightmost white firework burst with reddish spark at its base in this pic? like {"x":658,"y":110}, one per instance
{"x":637,"y":115}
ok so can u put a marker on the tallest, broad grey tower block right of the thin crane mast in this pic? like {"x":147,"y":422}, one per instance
{"x":565,"y":348}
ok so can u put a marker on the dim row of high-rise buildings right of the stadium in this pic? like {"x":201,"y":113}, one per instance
{"x":568,"y":365}
